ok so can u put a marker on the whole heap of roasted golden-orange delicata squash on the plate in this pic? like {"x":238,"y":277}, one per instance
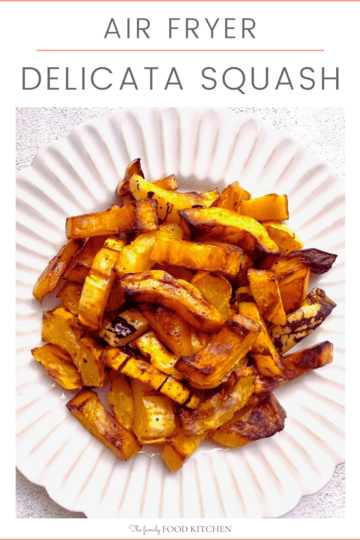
{"x":182,"y":307}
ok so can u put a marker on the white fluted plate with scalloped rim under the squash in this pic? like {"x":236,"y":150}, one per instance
{"x":204,"y":148}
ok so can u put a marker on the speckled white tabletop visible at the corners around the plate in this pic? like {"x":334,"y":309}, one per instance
{"x":320,"y":129}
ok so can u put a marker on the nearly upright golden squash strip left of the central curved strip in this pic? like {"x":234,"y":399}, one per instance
{"x":98,"y":284}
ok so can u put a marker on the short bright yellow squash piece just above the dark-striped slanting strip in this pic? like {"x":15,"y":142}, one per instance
{"x":160,"y":357}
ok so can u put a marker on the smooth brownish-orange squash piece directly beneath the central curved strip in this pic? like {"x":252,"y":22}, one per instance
{"x":172,"y":330}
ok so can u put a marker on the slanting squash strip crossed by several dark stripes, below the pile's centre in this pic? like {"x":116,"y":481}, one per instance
{"x":148,"y":374}
